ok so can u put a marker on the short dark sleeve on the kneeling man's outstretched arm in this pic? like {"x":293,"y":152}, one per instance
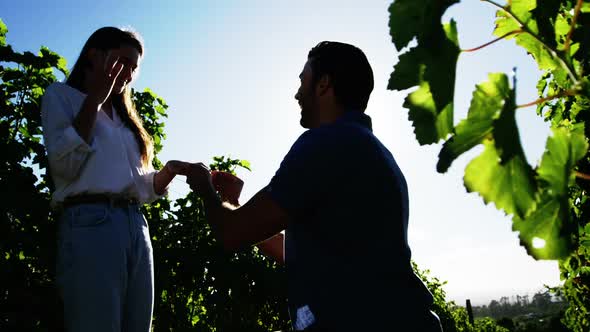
{"x":298,"y":184}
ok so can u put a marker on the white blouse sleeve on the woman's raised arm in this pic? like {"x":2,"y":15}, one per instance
{"x":66,"y":150}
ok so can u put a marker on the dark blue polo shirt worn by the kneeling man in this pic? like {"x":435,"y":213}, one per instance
{"x":346,"y":251}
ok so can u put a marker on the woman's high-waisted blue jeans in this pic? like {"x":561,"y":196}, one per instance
{"x":105,"y":269}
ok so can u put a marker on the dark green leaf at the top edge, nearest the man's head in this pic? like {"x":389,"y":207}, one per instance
{"x":411,"y":18}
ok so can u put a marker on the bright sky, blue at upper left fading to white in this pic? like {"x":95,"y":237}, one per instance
{"x":229,"y":71}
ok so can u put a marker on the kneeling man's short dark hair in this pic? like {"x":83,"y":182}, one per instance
{"x":348,"y":69}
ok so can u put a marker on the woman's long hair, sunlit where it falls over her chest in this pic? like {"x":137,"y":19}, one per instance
{"x":105,"y":39}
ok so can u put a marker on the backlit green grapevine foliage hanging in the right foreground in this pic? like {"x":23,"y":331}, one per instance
{"x":548,"y":202}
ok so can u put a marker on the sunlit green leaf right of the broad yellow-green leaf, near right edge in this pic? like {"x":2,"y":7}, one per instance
{"x":563,"y":151}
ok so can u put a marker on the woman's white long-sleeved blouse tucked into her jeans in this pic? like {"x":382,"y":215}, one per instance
{"x":110,"y":164}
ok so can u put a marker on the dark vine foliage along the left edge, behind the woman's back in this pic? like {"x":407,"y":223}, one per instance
{"x":27,"y":235}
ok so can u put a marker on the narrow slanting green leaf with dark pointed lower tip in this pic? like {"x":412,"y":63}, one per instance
{"x":486,"y":103}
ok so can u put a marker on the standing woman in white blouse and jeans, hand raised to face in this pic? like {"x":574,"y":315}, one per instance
{"x":100,"y":160}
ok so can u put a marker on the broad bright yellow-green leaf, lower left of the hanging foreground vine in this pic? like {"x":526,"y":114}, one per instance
{"x":508,"y":183}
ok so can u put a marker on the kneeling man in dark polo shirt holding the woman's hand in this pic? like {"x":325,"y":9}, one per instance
{"x":343,"y":203}
